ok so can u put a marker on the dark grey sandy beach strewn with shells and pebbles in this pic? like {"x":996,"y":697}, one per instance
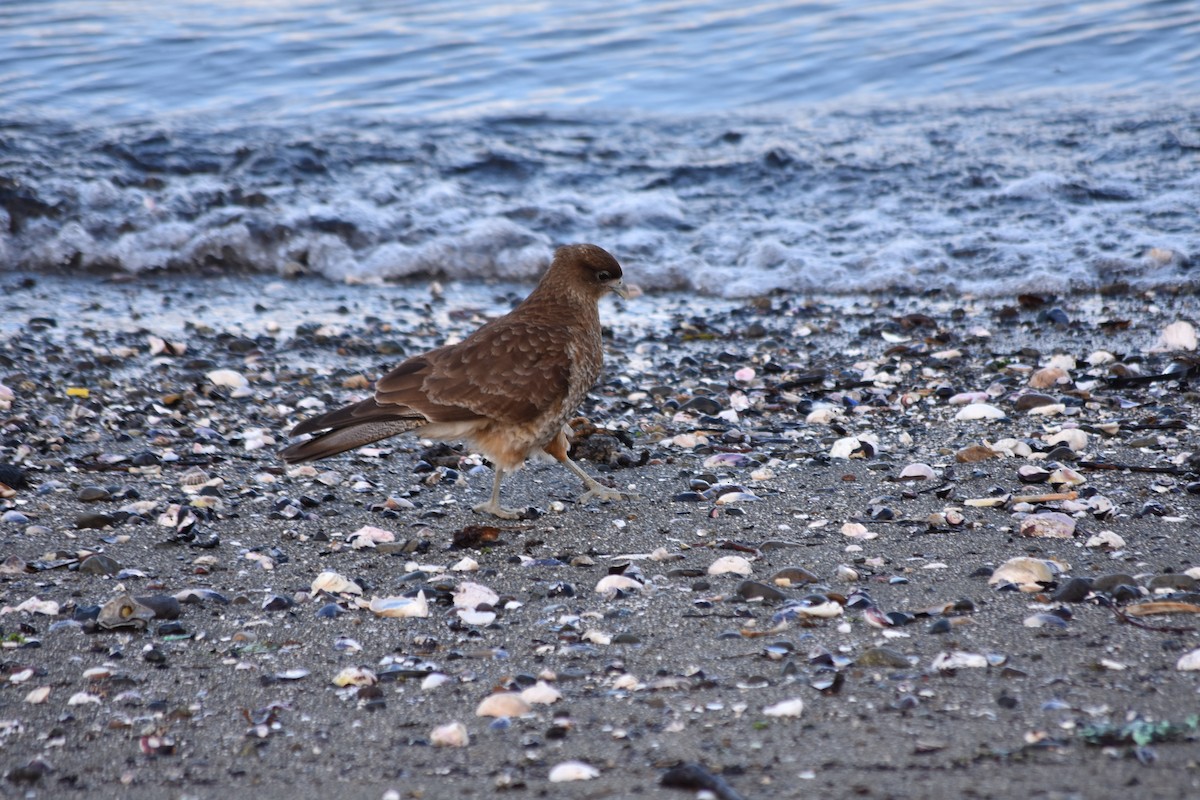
{"x":911,"y":673}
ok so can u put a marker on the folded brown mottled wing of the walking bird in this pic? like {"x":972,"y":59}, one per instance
{"x":509,"y":371}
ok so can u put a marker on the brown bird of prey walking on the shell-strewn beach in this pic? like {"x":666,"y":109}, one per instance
{"x":508,"y":389}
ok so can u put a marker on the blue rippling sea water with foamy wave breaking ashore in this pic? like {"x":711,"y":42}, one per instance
{"x":723,"y":148}
